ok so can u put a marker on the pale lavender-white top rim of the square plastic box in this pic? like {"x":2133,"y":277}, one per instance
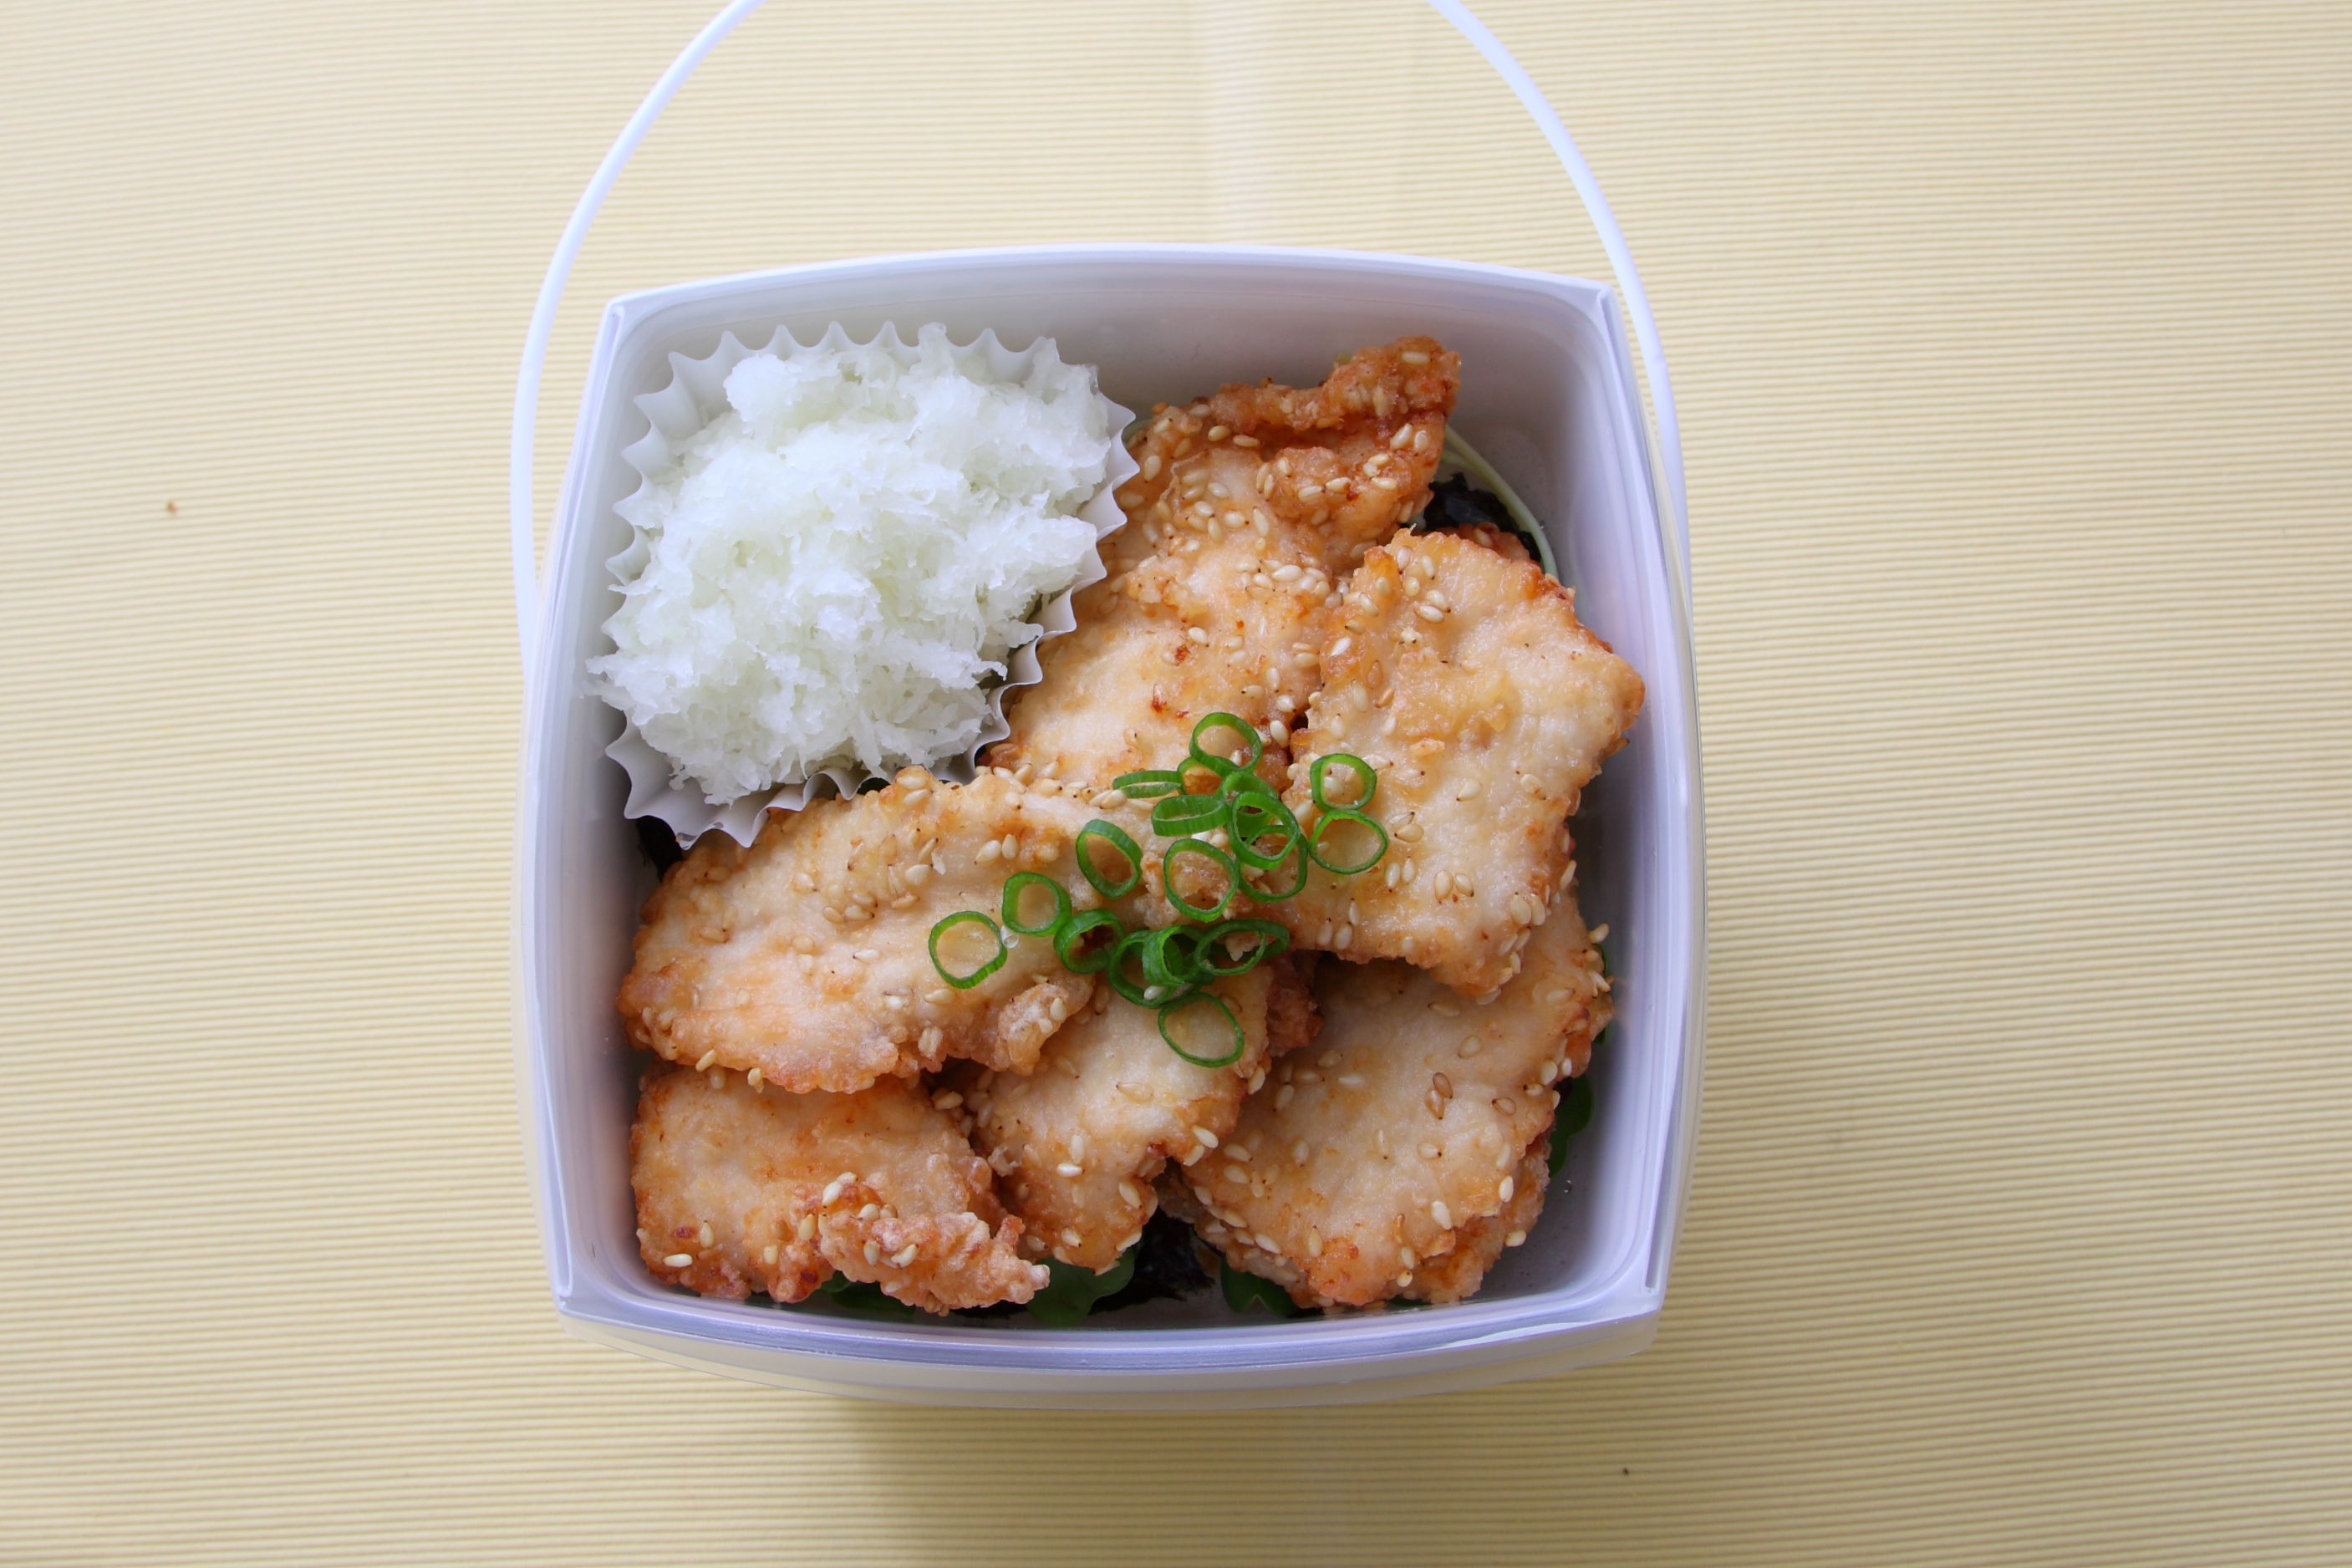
{"x":1478,"y":1341}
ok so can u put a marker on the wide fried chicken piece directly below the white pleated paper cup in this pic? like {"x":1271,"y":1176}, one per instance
{"x":808,"y":956}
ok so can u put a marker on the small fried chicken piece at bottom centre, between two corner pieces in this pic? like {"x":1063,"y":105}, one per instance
{"x":1081,"y":1141}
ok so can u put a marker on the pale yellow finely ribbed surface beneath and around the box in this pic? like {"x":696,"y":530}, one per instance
{"x":2014,"y":359}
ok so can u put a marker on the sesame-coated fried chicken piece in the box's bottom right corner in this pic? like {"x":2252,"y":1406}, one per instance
{"x":1405,"y":1153}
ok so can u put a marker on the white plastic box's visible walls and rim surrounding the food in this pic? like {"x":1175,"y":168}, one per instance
{"x":1549,"y":396}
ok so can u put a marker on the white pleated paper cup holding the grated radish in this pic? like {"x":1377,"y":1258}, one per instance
{"x":679,"y":413}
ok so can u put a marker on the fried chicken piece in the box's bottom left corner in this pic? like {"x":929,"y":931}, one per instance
{"x":763,"y":1191}
